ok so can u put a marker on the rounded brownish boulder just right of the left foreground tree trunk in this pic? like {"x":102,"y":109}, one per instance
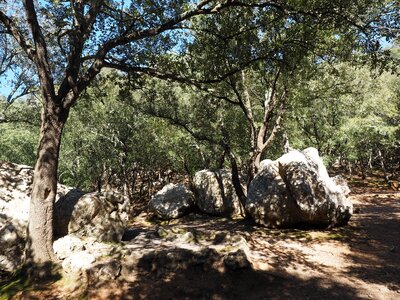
{"x":90,"y":215}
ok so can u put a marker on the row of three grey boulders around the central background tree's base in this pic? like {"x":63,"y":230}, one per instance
{"x":290,"y":191}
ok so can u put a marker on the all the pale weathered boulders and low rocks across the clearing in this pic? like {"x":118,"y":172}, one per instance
{"x":290,"y":191}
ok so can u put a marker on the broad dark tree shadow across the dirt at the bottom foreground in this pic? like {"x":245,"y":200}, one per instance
{"x":184,"y":274}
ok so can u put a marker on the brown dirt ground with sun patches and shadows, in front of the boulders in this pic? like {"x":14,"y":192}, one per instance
{"x":359,"y":261}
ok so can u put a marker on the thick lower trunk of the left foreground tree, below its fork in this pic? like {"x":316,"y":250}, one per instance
{"x":44,"y":189}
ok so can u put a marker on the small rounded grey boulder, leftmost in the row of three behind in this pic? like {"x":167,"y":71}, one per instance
{"x":173,"y":201}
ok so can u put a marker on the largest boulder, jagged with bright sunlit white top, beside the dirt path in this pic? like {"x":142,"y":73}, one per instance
{"x":297,"y":190}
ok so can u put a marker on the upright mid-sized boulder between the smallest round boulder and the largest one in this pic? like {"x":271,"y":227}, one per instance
{"x":215,"y":194}
